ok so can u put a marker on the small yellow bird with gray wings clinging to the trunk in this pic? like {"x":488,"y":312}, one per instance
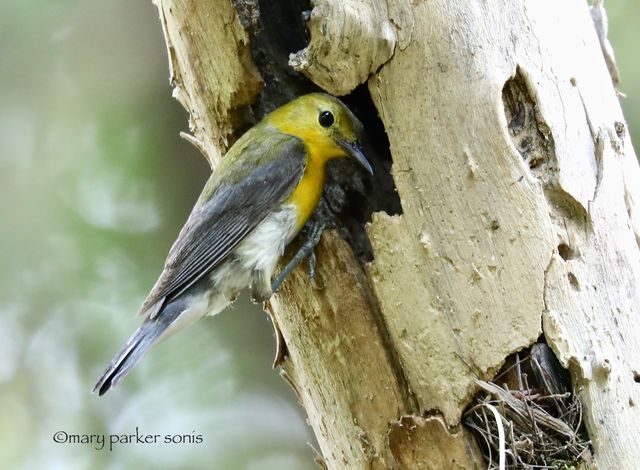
{"x":260,"y":196}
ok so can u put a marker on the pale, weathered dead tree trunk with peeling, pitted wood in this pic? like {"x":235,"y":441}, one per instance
{"x":516,"y":180}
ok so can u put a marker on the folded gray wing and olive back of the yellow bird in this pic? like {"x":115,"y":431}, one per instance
{"x":243,"y":192}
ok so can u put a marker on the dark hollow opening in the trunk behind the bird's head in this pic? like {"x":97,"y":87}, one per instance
{"x":276,"y":30}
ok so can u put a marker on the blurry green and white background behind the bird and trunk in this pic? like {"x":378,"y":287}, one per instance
{"x":95,"y":186}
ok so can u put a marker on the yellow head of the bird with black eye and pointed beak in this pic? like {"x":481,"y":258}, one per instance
{"x":326,"y":126}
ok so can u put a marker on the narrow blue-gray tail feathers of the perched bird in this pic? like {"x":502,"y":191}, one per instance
{"x":140,"y":342}
